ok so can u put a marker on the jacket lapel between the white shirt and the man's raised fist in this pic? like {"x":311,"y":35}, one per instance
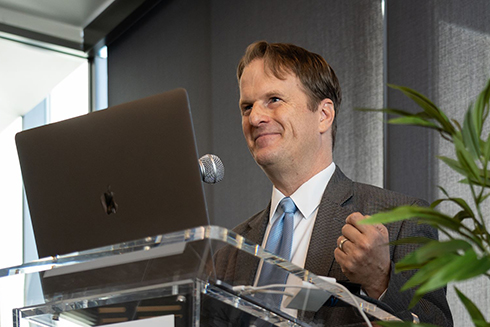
{"x":328,"y":225}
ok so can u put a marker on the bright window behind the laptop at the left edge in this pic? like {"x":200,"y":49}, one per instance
{"x":65,"y":80}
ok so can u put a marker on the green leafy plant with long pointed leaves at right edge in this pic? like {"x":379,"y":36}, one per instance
{"x":466,"y":252}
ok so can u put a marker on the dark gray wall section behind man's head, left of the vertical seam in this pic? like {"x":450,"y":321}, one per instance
{"x":197,"y":45}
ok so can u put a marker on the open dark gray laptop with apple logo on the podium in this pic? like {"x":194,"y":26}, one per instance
{"x":114,"y":175}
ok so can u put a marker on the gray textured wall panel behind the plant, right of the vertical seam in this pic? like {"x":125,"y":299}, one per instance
{"x":442,"y":49}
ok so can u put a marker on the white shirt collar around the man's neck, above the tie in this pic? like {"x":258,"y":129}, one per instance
{"x":308,"y":196}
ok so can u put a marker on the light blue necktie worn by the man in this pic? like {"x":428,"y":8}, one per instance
{"x":279,"y":242}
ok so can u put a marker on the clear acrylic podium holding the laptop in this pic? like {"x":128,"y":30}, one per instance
{"x":168,"y":280}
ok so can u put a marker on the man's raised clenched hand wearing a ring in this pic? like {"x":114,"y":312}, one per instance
{"x":363,"y":254}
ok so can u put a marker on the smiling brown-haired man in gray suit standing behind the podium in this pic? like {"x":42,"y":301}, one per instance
{"x":289,"y":101}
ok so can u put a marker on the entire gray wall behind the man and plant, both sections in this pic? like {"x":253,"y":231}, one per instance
{"x":438,"y":47}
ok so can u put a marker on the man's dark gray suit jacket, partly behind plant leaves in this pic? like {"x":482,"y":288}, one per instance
{"x":341,"y":198}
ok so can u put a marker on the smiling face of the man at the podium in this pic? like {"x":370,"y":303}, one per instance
{"x":280,"y":130}
